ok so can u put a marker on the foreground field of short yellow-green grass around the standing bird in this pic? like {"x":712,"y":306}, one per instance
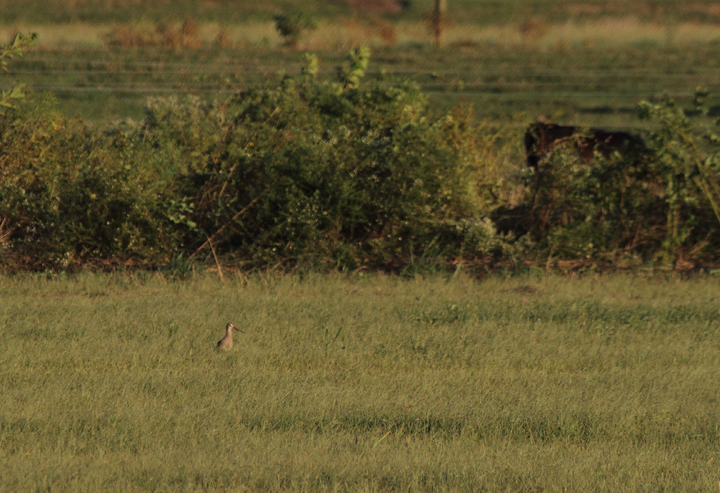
{"x":374,"y":383}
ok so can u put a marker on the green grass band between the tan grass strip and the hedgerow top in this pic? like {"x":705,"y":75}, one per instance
{"x":591,"y":86}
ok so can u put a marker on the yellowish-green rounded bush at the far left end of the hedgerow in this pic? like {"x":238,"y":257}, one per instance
{"x":71,"y":194}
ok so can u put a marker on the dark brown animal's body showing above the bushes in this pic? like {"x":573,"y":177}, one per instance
{"x":541,"y":138}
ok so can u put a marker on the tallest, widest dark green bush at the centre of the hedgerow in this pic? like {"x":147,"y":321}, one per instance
{"x":346,"y":174}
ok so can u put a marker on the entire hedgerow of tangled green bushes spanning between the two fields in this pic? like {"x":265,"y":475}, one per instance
{"x":341,"y":175}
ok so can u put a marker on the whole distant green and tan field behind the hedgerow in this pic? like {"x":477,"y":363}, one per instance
{"x":580,"y":62}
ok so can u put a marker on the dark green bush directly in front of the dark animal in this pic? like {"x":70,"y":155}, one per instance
{"x":595,"y":210}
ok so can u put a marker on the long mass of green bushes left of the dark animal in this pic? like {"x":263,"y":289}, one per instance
{"x":340,"y":175}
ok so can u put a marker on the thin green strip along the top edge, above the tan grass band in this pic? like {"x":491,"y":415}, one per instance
{"x":484,"y":12}
